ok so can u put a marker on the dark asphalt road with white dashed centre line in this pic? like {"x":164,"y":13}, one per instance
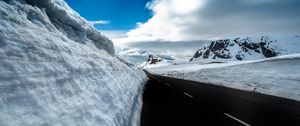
{"x":172,"y":102}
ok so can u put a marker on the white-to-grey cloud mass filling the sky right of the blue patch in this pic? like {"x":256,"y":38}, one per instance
{"x":176,"y":20}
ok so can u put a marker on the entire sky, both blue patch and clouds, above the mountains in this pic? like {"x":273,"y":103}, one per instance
{"x":126,"y":21}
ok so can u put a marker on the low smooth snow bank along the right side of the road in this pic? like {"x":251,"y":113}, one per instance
{"x":279,"y":76}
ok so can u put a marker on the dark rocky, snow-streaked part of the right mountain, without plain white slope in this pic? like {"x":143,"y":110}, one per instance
{"x":237,"y":49}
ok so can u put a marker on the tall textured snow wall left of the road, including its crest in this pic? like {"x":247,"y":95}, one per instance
{"x":56,"y":69}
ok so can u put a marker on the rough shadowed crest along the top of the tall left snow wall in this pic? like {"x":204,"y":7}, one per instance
{"x":71,"y":24}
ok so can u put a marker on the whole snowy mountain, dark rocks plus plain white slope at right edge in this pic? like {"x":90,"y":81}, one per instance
{"x":246,"y":49}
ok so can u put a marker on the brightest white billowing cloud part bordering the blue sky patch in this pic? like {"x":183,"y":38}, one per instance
{"x":169,"y":19}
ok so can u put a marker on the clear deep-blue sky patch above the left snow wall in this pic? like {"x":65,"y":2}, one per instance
{"x":122,"y":14}
